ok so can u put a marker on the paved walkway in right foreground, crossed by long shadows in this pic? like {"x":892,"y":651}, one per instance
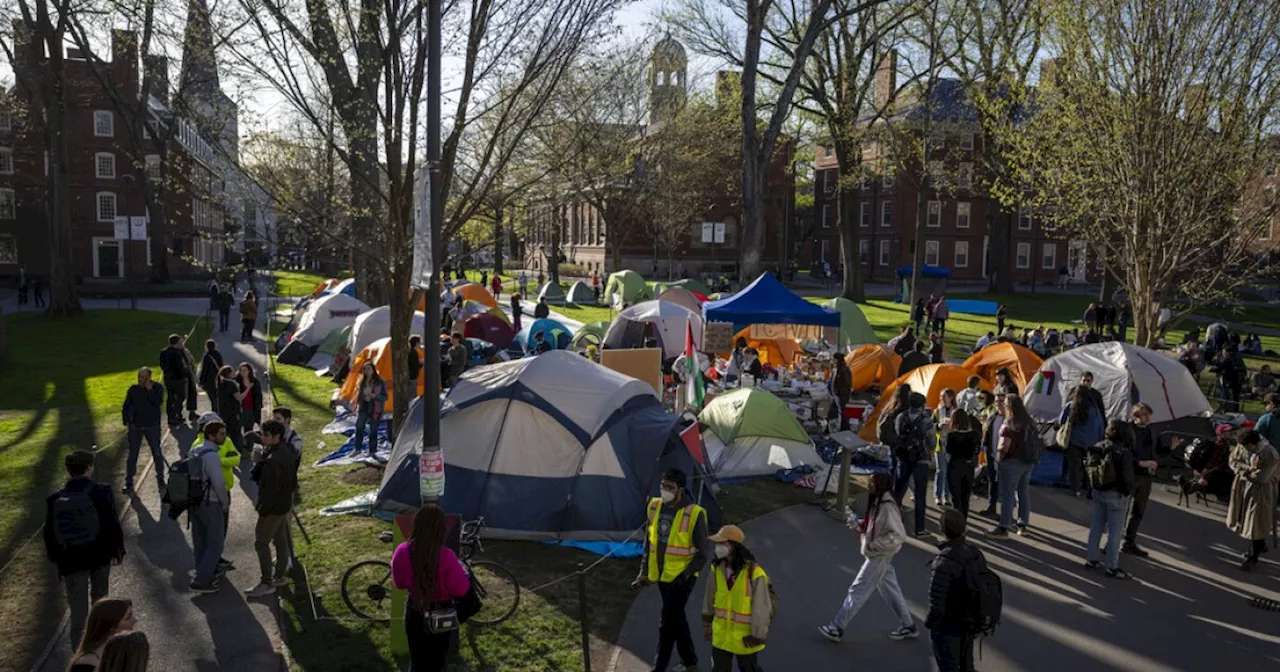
{"x":1187,"y":610}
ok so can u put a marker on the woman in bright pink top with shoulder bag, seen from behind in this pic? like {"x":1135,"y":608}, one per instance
{"x":433,"y":577}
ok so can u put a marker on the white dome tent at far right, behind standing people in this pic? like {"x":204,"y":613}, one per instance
{"x":1126,"y":376}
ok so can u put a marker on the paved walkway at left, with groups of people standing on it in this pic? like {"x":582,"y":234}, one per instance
{"x":188,"y":632}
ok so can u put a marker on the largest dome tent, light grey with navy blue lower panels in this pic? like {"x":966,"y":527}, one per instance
{"x":602,"y":446}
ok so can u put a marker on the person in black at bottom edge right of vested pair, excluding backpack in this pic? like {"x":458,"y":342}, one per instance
{"x":950,"y":596}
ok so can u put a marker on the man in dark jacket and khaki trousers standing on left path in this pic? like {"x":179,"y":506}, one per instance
{"x":276,"y":473}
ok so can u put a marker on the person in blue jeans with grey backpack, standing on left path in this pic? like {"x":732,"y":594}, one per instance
{"x":208,"y":520}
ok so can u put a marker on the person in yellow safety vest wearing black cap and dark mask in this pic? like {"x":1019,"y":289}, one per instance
{"x":674,"y":555}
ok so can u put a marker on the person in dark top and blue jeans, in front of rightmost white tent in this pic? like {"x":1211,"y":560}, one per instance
{"x":1109,"y":468}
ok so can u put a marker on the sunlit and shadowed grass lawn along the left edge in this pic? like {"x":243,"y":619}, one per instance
{"x":61,"y":394}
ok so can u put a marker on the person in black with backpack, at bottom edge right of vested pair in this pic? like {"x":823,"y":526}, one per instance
{"x":964,"y":598}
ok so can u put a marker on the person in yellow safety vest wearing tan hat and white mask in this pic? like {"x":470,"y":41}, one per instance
{"x":738,"y":607}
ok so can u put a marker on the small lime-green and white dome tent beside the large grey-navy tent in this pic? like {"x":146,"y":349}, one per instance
{"x":752,"y":433}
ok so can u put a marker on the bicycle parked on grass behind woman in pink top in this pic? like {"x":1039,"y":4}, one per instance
{"x":367,"y":586}
